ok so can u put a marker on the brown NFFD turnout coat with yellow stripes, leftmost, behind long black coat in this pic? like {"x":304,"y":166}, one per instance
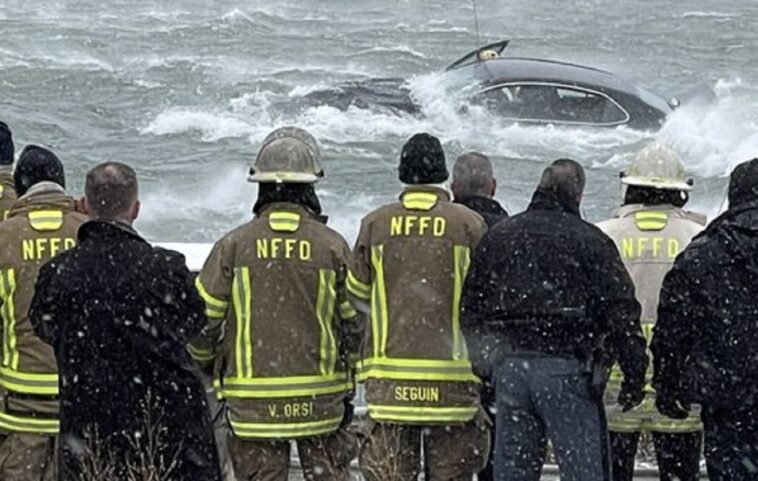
{"x":42,"y":224}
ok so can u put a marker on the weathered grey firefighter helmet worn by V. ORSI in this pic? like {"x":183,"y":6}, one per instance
{"x":287,"y":155}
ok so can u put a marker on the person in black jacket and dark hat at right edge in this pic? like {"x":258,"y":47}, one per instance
{"x":705,"y":341}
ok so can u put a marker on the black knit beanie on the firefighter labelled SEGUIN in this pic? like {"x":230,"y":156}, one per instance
{"x":423,"y":161}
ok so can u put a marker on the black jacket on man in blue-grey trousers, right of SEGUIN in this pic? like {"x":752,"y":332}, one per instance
{"x":547,"y":281}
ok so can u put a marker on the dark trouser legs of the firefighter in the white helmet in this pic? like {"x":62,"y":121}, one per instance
{"x":678,"y":455}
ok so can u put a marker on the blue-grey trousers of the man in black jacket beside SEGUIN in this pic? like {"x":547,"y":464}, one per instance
{"x":540,"y":398}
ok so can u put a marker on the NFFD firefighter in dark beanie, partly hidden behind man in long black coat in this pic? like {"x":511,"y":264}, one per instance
{"x":41,"y":224}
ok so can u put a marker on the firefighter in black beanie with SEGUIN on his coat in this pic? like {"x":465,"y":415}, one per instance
{"x":409,"y":264}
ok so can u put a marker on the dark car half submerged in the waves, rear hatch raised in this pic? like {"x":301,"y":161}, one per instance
{"x":524,"y":90}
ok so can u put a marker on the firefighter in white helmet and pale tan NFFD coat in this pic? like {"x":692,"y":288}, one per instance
{"x":650,"y":230}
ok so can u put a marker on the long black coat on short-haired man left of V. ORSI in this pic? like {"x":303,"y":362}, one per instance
{"x":119,"y":313}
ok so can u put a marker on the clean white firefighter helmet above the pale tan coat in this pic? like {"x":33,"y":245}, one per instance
{"x":657,"y":167}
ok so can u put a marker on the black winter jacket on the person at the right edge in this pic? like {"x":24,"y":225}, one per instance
{"x":705,"y":343}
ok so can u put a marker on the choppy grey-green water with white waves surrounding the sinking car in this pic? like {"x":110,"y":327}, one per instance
{"x":185,"y":90}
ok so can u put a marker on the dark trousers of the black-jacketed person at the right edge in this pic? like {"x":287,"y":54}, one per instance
{"x":731,"y":444}
